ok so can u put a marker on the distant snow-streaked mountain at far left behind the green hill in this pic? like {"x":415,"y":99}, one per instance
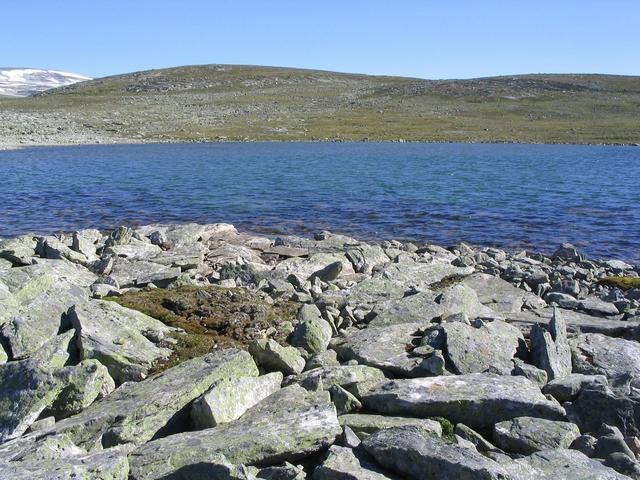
{"x":20,"y":82}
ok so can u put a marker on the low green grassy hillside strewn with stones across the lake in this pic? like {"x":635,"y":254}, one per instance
{"x":264,"y":103}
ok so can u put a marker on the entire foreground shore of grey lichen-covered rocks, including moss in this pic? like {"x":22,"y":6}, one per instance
{"x":197,"y":351}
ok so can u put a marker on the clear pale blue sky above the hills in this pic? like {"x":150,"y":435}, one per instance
{"x":428,"y":38}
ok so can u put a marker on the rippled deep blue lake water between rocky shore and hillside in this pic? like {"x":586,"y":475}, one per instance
{"x":511,"y":196}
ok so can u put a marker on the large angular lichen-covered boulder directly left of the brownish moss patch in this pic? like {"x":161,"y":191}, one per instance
{"x":122,"y":339}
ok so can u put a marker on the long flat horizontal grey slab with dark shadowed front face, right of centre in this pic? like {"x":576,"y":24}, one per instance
{"x":477,"y":400}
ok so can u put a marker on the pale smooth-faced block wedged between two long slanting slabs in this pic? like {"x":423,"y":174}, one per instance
{"x":229,"y":398}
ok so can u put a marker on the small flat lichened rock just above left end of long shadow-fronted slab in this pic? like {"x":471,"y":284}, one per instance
{"x":342,"y":375}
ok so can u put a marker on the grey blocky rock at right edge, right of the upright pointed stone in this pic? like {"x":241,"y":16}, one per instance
{"x":597,"y":354}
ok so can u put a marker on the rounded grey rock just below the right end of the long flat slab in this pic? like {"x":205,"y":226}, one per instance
{"x":527,"y":435}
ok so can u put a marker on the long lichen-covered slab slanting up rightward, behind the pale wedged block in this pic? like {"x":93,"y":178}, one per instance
{"x":136,"y":412}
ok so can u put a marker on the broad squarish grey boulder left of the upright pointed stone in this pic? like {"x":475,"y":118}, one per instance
{"x":476,"y":348}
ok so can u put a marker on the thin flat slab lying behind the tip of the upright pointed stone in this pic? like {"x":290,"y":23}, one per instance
{"x":575,"y":321}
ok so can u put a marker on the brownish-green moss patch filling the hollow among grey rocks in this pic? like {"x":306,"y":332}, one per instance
{"x":212,"y":317}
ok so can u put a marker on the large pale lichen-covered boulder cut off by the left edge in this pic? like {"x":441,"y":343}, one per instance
{"x":40,"y":297}
